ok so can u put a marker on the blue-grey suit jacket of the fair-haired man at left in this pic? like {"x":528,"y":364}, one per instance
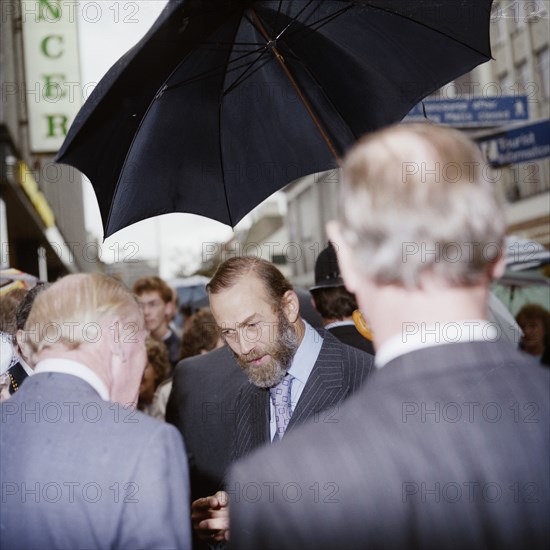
{"x":80,"y":472}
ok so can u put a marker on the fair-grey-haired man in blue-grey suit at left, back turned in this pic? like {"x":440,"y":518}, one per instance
{"x":79,"y":467}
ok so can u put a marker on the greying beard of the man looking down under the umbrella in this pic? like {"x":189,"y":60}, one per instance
{"x":281,"y":352}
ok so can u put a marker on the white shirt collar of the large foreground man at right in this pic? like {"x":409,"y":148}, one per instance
{"x":416,"y":336}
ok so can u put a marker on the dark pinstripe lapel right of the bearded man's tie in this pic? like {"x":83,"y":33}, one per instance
{"x":325,"y":386}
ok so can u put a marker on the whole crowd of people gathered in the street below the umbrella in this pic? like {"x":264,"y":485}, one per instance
{"x":397,"y":417}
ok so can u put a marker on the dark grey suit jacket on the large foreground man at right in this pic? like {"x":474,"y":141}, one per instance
{"x":445,"y":447}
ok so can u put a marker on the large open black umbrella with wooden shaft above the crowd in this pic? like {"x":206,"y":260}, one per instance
{"x":224,"y":102}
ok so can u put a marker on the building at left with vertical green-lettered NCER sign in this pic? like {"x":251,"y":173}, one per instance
{"x":41,"y":202}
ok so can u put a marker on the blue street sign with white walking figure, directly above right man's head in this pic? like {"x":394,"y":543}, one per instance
{"x":487,"y":112}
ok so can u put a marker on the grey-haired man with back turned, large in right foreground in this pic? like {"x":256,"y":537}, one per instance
{"x":448,"y":444}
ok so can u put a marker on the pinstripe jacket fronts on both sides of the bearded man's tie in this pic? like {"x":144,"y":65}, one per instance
{"x":338,"y":372}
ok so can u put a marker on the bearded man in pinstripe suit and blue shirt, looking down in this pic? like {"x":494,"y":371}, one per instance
{"x":295,"y":373}
